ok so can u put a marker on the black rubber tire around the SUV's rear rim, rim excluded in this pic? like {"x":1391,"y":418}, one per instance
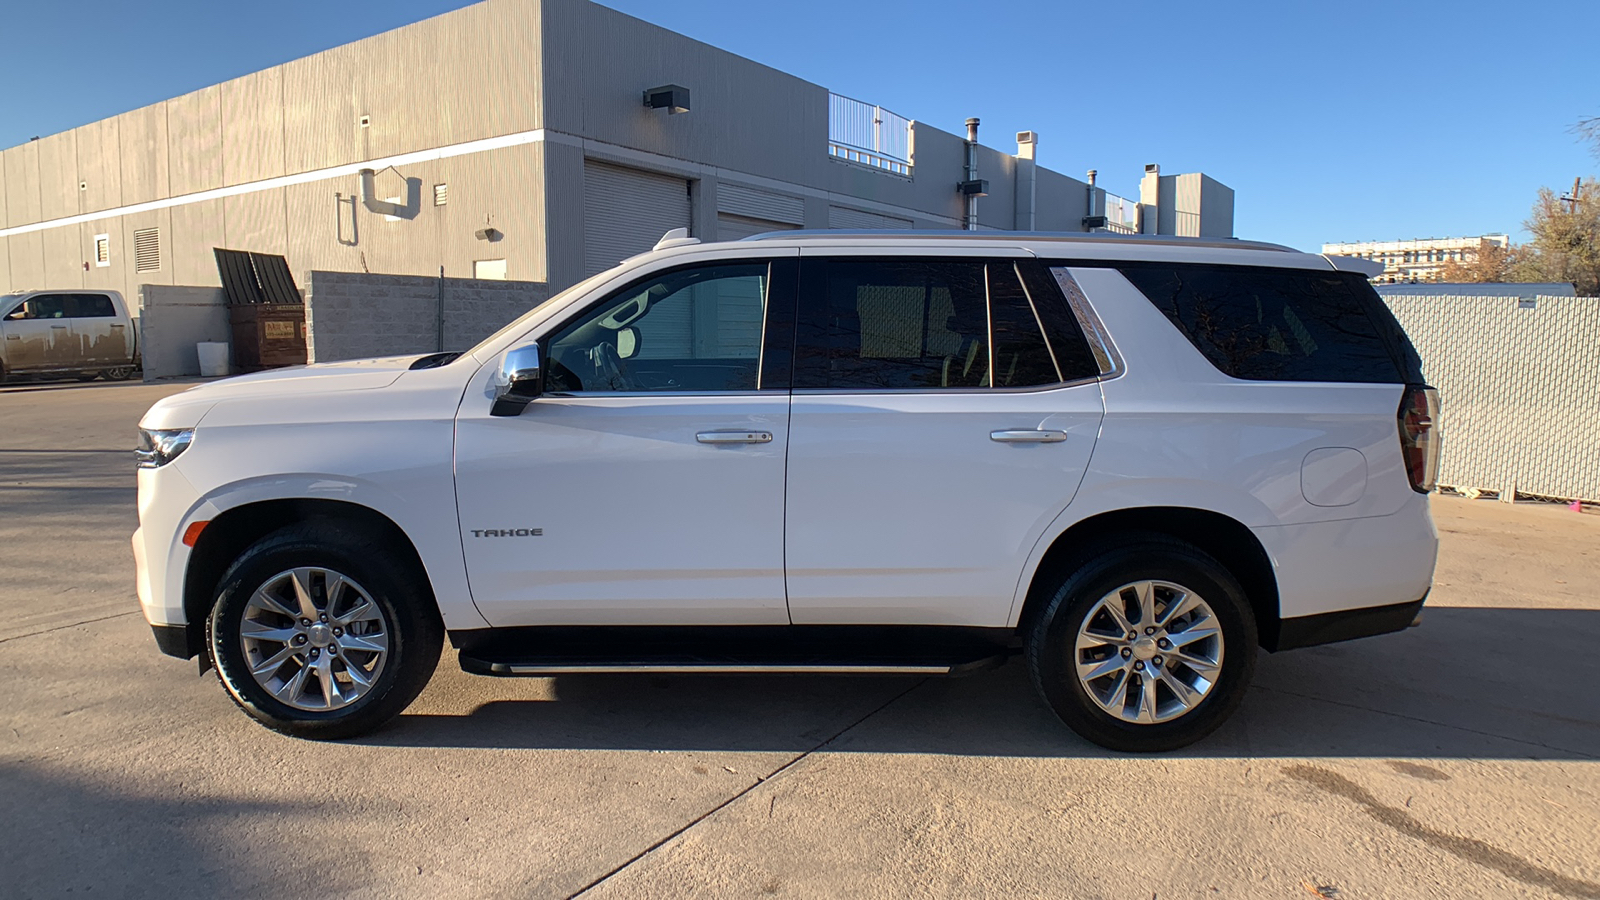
{"x":1076,"y":590}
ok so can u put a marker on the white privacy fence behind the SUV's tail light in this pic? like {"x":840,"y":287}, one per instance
{"x":1521,"y":390}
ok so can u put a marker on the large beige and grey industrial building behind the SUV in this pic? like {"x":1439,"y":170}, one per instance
{"x":527,"y":140}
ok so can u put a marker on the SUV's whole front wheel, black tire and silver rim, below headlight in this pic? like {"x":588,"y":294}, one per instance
{"x":322,"y":632}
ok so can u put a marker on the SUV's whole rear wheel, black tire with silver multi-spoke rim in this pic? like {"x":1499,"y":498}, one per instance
{"x":1145,"y":646}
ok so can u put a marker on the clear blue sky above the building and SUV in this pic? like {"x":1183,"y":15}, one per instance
{"x":1332,"y":123}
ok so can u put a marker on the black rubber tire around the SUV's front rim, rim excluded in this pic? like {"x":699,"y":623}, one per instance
{"x":390,"y":579}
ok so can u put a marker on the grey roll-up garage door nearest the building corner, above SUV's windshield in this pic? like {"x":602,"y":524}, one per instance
{"x":626,"y":212}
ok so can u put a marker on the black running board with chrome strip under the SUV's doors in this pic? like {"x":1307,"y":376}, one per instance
{"x":873,"y":651}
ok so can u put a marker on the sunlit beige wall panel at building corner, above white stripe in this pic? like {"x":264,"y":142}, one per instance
{"x":516,"y":57}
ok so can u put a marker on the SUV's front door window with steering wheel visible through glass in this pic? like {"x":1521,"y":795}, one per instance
{"x":687,"y":331}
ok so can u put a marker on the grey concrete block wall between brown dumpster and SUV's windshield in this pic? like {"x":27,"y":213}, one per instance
{"x":358,"y":315}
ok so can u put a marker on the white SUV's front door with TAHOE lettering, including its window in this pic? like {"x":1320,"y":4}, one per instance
{"x":647,"y":484}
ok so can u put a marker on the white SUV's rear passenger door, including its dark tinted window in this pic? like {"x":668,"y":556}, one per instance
{"x":935,"y":435}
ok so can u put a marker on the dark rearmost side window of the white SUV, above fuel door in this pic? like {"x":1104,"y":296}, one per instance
{"x":1273,"y":324}
